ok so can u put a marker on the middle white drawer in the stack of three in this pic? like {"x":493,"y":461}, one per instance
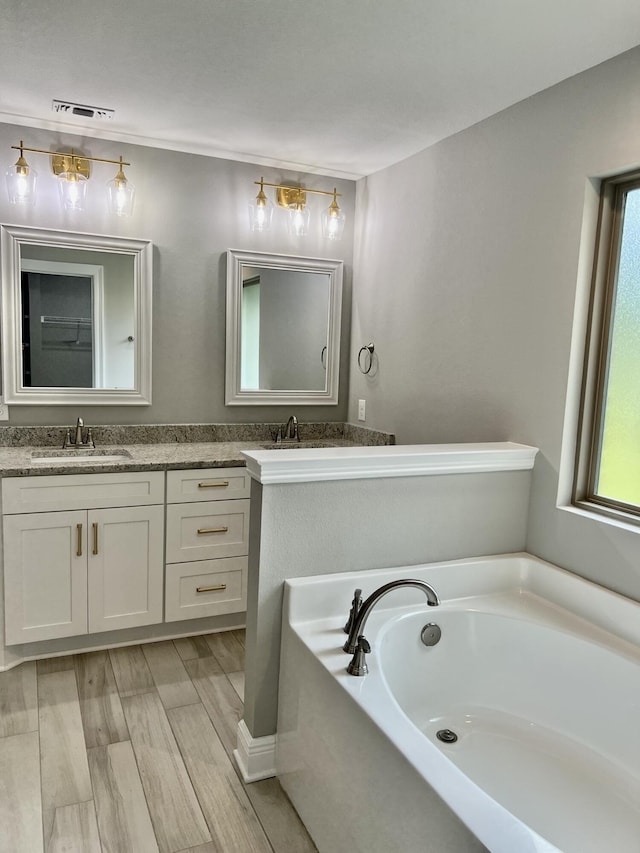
{"x":207,"y":530}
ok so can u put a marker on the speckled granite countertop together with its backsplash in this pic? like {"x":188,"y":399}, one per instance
{"x":28,"y":451}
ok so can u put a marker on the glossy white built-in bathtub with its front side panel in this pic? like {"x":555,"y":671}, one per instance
{"x":537,"y":673}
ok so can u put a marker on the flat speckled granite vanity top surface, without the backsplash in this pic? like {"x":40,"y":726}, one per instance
{"x":32,"y":460}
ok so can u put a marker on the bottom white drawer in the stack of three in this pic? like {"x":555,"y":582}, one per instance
{"x":205,"y":588}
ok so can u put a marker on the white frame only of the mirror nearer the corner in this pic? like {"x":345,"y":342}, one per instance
{"x":234,"y":394}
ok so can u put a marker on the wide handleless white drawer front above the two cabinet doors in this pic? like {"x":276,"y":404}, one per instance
{"x":82,"y":491}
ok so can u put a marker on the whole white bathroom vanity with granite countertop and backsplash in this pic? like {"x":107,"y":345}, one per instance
{"x":128,"y":542}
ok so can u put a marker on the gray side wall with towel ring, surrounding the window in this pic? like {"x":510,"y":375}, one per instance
{"x":469,"y":259}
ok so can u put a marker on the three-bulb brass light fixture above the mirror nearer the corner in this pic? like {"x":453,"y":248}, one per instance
{"x":294,"y":199}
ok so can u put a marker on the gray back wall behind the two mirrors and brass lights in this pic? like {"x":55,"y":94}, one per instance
{"x":193,"y":208}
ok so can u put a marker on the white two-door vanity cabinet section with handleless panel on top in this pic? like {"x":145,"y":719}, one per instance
{"x":83,"y":553}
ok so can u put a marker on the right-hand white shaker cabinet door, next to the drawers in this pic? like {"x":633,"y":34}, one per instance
{"x":125,"y":567}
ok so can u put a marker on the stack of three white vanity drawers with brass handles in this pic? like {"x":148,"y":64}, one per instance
{"x":207,"y":542}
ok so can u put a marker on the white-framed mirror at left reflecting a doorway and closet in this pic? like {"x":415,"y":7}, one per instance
{"x":76,"y":318}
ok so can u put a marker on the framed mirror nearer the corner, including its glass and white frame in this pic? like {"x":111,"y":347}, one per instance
{"x":283,"y":329}
